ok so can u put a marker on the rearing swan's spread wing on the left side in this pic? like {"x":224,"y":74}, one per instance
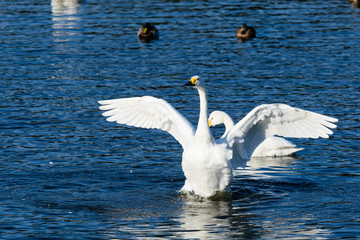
{"x":149,"y":112}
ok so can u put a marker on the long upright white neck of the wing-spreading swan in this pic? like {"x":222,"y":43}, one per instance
{"x":203,"y":131}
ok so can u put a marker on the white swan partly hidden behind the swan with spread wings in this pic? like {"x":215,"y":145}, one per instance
{"x":270,"y":147}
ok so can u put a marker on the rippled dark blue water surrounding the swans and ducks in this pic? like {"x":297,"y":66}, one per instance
{"x":66,"y":173}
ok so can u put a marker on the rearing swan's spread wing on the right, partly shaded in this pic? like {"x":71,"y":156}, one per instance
{"x":278,"y":119}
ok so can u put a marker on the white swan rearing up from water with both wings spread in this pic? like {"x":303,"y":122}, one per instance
{"x":208,"y":165}
